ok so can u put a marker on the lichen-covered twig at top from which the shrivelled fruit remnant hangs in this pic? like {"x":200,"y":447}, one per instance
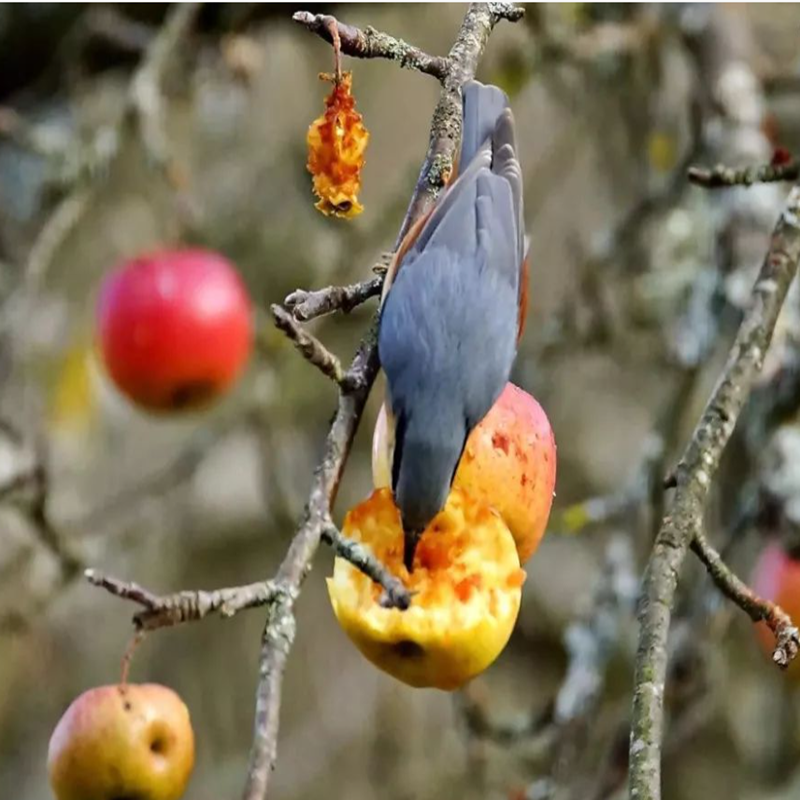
{"x":370,"y":43}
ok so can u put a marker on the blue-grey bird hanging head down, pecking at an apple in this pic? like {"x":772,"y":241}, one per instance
{"x":453,"y":310}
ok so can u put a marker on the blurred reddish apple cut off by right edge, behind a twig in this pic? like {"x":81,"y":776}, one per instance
{"x":776,"y":577}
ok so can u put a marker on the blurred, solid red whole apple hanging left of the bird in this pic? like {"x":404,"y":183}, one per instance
{"x":174,"y":328}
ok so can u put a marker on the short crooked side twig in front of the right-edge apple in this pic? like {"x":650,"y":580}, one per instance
{"x":787,"y":639}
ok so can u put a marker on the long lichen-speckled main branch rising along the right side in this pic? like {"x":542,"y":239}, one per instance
{"x":683,"y":519}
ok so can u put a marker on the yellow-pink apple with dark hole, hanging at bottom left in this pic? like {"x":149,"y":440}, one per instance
{"x":116,"y":742}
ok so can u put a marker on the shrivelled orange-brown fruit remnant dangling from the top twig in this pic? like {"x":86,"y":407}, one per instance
{"x":336,"y":144}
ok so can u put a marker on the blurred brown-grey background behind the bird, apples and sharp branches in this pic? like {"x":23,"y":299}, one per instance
{"x":637,"y":284}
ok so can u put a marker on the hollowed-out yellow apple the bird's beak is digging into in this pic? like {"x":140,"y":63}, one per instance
{"x":465,"y":586}
